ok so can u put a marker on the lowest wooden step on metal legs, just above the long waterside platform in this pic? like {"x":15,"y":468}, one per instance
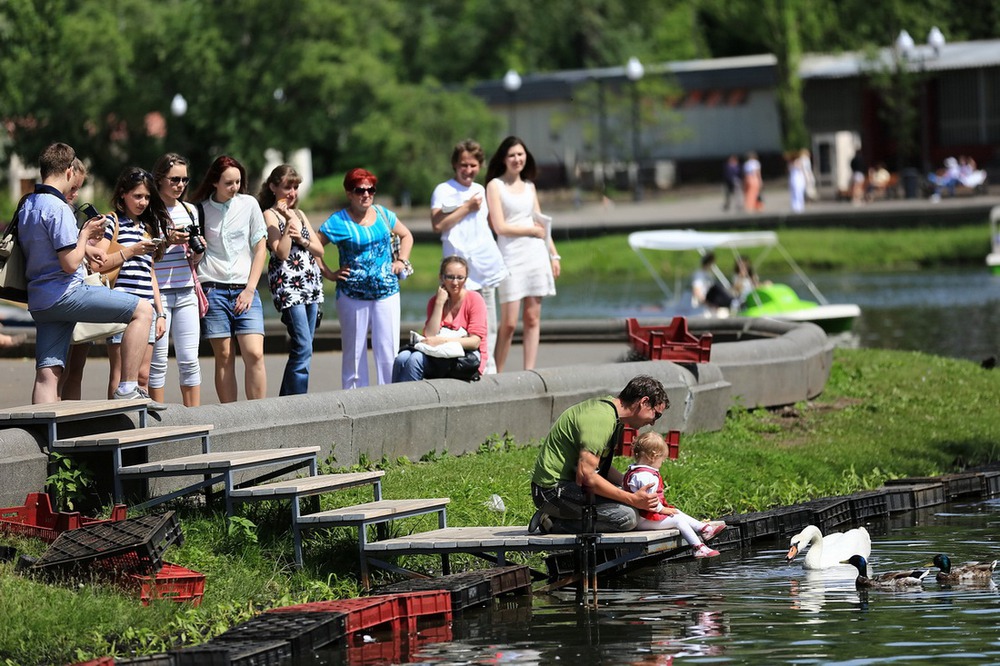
{"x":375,"y":513}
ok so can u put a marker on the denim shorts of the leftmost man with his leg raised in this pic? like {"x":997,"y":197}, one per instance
{"x":54,"y":325}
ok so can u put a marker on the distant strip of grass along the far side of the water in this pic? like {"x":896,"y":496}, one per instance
{"x":609,"y":257}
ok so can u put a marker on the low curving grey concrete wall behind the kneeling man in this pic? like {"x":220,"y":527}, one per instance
{"x":766,"y":364}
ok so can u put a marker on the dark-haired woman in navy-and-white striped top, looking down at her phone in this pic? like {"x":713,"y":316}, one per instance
{"x":140,"y":235}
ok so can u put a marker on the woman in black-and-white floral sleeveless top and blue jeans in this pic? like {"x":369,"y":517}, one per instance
{"x":293,"y":272}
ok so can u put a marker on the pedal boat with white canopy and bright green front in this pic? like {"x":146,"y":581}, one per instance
{"x":777,"y":301}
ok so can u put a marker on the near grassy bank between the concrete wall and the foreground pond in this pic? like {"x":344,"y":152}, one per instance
{"x":883,"y":414}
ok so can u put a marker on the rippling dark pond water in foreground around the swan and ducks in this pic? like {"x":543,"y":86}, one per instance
{"x":751,"y":607}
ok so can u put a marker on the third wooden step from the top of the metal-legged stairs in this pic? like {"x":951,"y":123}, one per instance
{"x":219,"y":467}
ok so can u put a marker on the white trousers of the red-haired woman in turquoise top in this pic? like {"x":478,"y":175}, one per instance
{"x":356,"y":317}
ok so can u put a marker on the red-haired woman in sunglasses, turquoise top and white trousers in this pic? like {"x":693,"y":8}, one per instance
{"x":367,"y":279}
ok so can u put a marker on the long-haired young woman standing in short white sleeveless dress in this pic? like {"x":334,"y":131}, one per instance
{"x":526,"y":245}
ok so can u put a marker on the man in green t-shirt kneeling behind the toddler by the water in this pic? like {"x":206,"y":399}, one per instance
{"x":575,"y":462}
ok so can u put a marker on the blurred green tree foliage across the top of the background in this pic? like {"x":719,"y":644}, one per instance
{"x":381,"y":83}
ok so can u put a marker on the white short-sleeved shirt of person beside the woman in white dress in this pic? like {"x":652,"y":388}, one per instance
{"x":471,"y":237}
